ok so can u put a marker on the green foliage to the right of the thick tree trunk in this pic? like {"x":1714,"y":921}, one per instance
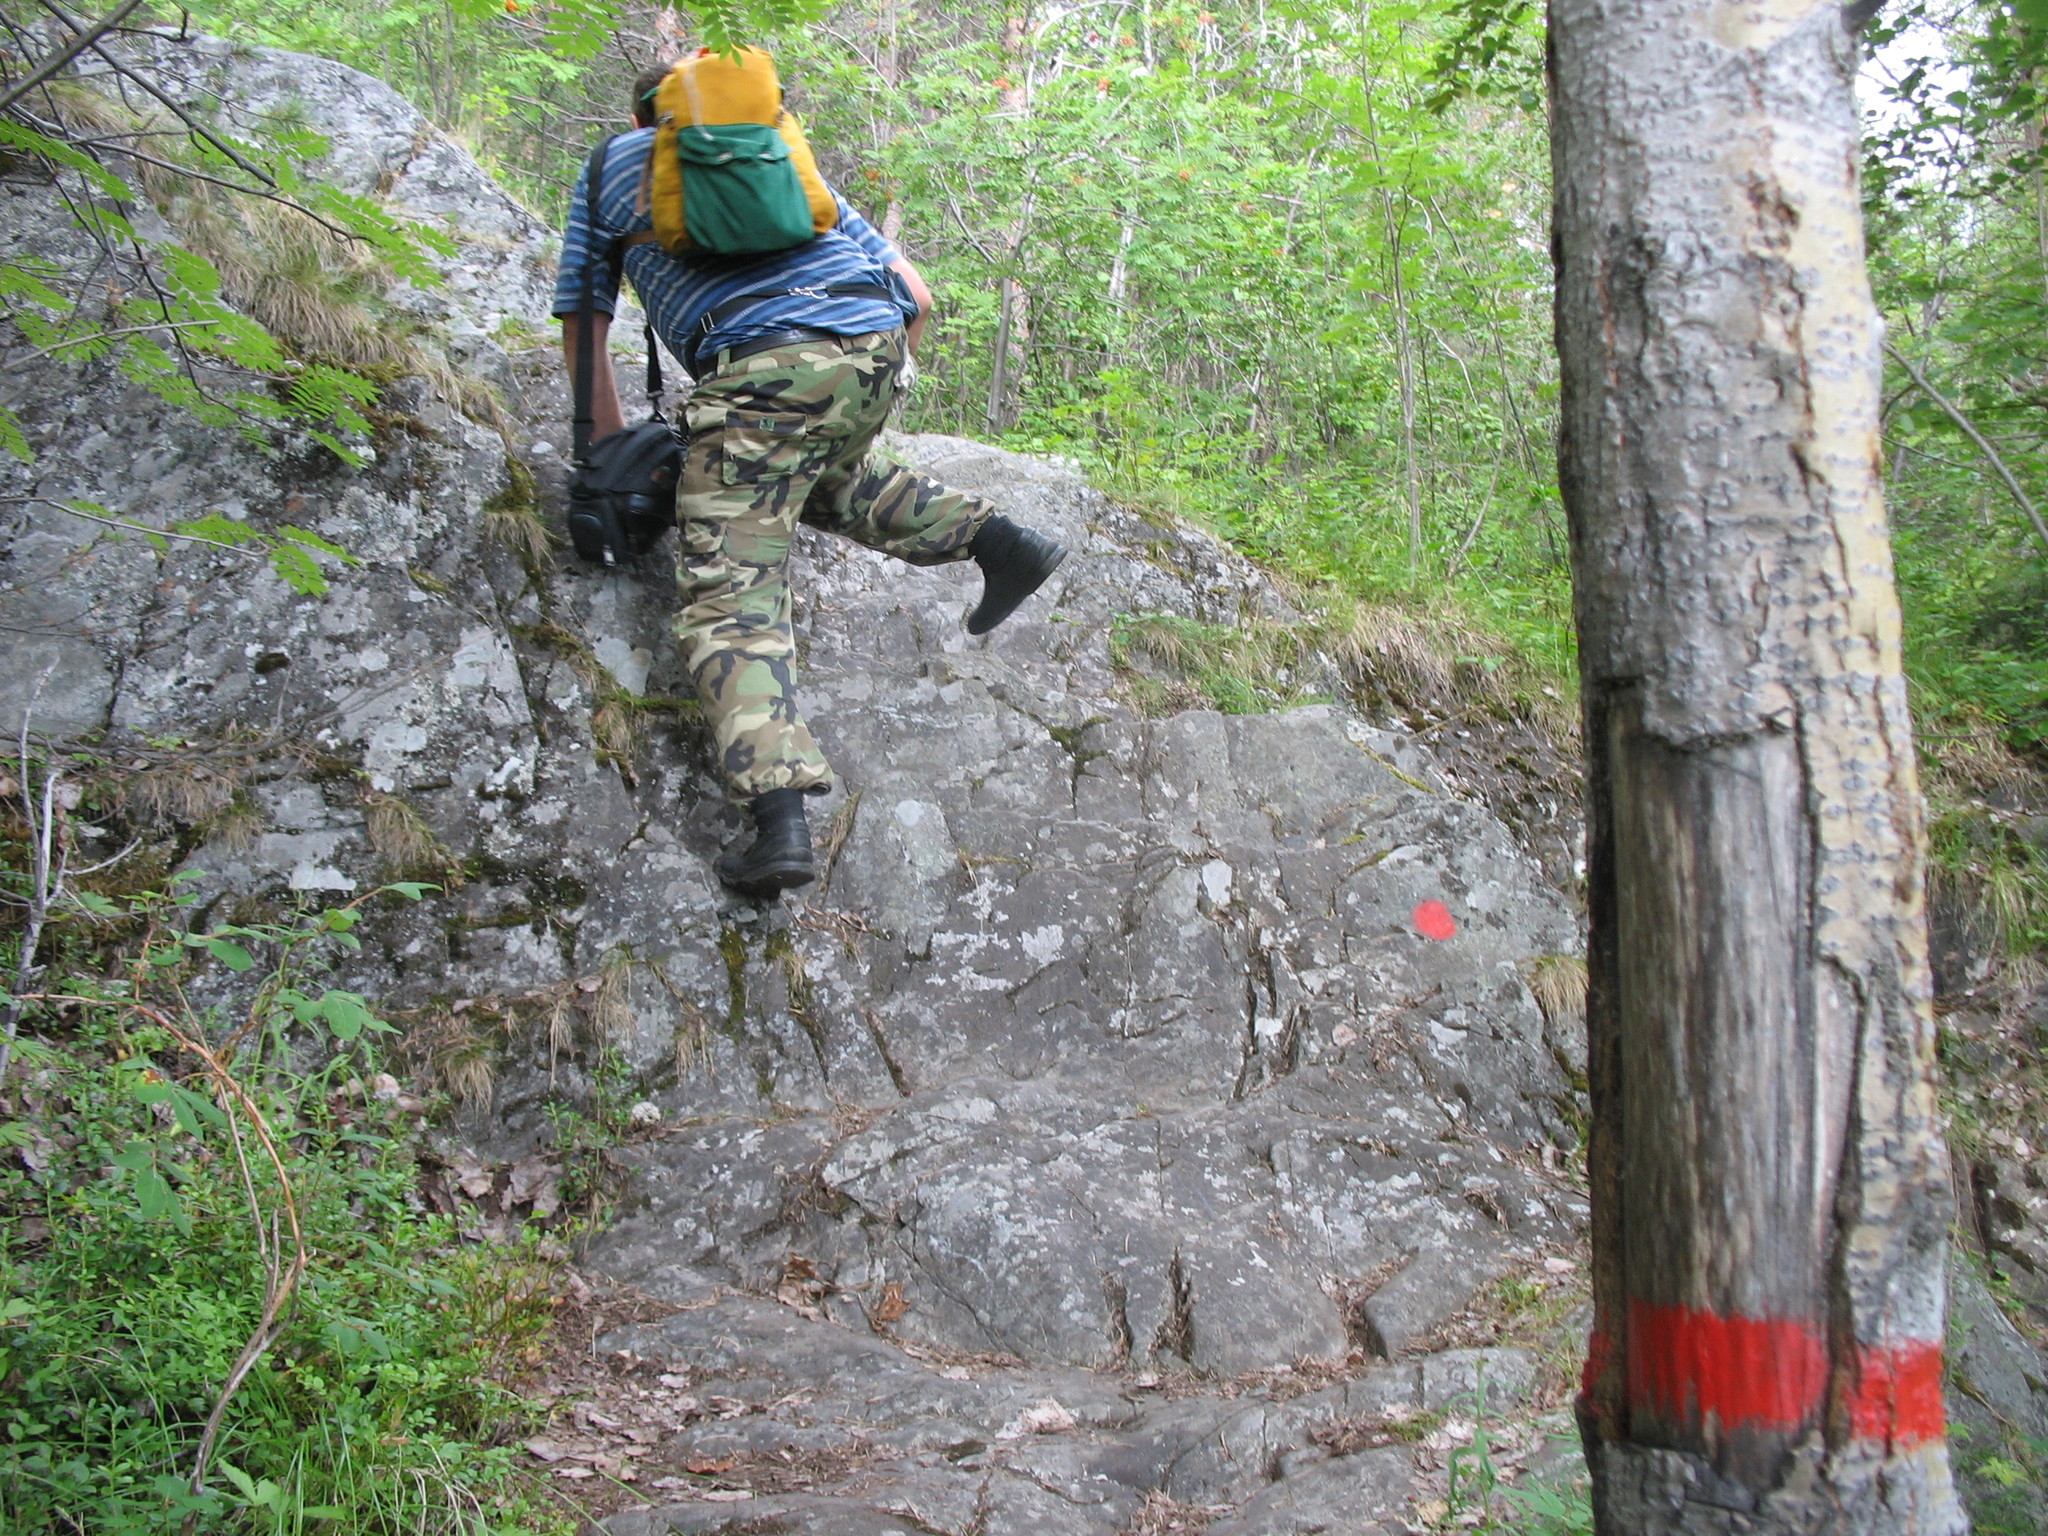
{"x":1955,"y":206}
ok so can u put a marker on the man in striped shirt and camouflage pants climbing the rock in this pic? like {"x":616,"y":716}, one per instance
{"x":798,"y":357}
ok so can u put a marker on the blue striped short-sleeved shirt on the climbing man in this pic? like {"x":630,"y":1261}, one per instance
{"x":677,"y":292}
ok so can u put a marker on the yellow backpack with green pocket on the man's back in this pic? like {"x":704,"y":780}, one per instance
{"x":732,"y":171}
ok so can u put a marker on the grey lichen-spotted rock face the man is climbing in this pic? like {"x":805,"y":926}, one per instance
{"x":1193,"y":1046}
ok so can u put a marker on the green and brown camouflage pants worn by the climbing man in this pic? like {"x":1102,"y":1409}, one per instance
{"x":775,"y":439}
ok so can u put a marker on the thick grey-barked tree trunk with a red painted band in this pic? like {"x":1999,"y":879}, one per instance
{"x":1768,"y":1185}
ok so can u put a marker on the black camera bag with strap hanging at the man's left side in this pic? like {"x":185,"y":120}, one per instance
{"x":624,"y":490}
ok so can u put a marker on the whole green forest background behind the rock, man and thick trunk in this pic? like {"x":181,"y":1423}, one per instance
{"x":1283,"y":269}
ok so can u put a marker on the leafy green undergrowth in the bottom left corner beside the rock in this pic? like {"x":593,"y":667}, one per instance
{"x":208,"y":1218}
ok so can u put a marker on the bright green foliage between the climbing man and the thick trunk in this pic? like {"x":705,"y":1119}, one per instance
{"x":1252,"y":280}
